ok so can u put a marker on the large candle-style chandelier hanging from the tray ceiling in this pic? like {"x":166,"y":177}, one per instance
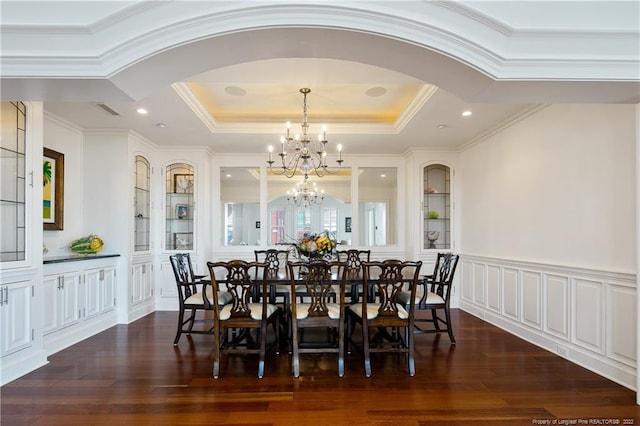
{"x":305,"y":153}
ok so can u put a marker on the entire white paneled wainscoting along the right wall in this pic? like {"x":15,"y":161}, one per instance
{"x":587,"y":316}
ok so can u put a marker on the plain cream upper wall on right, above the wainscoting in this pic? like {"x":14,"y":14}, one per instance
{"x":556,"y":188}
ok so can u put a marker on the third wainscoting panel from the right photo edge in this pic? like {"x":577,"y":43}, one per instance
{"x":557,"y":306}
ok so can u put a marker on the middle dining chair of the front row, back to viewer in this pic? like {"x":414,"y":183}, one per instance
{"x":320,"y":281}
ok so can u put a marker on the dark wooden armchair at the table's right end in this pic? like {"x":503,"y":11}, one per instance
{"x":433,"y":294}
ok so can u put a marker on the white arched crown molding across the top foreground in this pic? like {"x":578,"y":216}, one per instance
{"x":120,"y":40}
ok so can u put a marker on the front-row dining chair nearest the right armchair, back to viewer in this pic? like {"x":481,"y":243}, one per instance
{"x":386,"y":280}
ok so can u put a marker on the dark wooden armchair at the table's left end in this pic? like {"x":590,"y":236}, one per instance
{"x":190,"y":296}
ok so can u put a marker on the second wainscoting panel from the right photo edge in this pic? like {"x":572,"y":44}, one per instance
{"x":588,"y":310}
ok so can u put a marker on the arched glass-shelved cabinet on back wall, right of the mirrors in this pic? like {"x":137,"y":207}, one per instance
{"x":437,"y":207}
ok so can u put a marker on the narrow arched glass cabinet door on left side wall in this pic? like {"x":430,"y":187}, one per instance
{"x":142,"y":203}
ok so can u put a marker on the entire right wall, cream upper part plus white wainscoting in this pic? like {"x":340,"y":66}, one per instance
{"x":548,"y":238}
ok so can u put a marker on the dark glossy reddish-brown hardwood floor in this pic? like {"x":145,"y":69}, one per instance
{"x":132,"y":375}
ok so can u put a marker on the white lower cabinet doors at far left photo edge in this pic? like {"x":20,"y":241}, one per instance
{"x":15,"y":317}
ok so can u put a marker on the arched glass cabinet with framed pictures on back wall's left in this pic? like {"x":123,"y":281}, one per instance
{"x":179,"y":207}
